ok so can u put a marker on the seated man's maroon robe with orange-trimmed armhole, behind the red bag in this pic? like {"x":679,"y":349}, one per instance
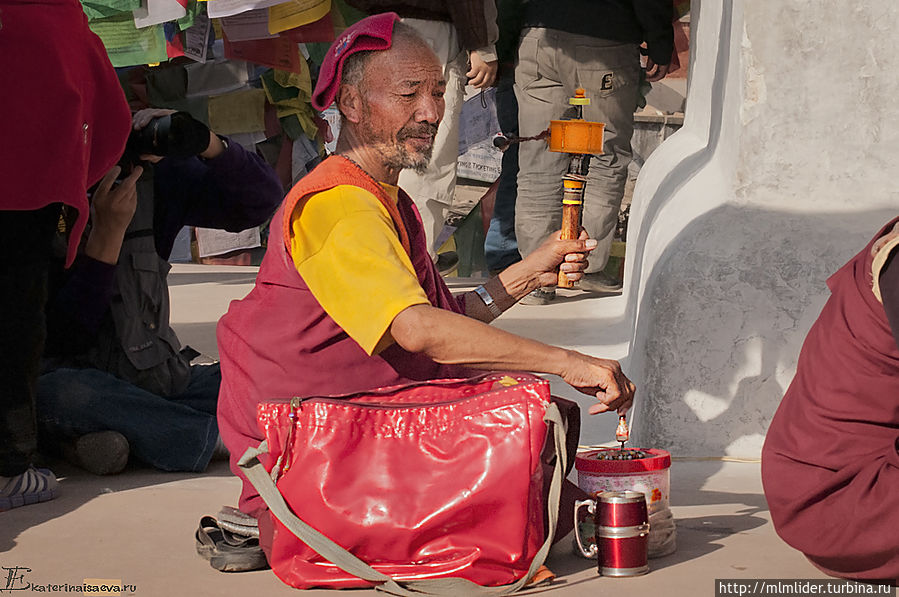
{"x":279,"y":342}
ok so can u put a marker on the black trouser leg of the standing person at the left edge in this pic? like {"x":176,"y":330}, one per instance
{"x":26,"y":239}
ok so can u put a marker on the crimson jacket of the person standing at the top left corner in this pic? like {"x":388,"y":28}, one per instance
{"x":63,"y":114}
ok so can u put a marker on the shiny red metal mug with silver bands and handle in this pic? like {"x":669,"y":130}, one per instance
{"x":622,"y":532}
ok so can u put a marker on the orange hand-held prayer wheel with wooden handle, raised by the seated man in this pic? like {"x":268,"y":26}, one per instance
{"x":581,"y":139}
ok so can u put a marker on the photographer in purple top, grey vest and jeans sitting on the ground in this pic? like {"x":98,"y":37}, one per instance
{"x":116,"y":382}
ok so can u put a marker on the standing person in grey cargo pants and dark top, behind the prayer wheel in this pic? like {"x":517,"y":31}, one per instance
{"x":593,"y":44}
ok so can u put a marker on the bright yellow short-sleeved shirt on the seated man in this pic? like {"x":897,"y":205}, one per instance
{"x":344,"y":244}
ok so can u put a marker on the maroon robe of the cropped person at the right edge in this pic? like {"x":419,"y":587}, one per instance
{"x":830,"y":466}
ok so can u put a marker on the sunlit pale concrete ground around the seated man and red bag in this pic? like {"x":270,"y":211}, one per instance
{"x":137,"y":527}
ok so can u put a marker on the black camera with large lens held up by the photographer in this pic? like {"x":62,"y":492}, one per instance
{"x":173,"y":135}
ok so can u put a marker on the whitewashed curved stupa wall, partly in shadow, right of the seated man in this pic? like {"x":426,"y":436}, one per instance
{"x":787,"y":164}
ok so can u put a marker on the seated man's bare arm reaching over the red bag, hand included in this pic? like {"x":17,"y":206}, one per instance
{"x":450,"y":338}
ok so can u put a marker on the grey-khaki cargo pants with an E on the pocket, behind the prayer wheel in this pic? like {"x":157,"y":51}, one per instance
{"x":551,"y":65}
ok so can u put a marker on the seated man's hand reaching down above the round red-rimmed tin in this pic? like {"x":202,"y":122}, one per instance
{"x":601,"y":378}
